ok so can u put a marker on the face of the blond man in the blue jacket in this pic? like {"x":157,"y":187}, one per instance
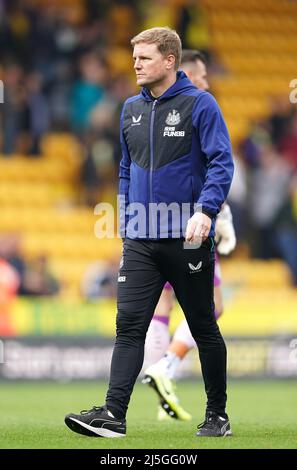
{"x":150,"y":65}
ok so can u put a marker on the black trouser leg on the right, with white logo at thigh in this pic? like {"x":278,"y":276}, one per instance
{"x":191,"y":273}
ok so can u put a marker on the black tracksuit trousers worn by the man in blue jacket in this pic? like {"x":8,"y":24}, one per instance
{"x":146,"y":266}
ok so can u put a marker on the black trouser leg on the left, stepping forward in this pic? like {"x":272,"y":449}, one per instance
{"x":139,"y":290}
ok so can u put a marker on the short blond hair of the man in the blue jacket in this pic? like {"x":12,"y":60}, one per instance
{"x":167,"y":41}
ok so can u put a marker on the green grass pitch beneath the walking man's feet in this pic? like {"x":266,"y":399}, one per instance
{"x":263,"y":415}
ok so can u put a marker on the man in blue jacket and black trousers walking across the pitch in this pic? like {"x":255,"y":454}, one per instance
{"x":176,"y":155}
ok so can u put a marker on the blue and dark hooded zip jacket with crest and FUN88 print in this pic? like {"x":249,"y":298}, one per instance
{"x":175,"y":149}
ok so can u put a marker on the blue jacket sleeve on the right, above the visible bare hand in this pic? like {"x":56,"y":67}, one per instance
{"x":216,"y":149}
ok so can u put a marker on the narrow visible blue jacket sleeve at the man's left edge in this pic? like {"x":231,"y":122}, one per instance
{"x":124,"y":175}
